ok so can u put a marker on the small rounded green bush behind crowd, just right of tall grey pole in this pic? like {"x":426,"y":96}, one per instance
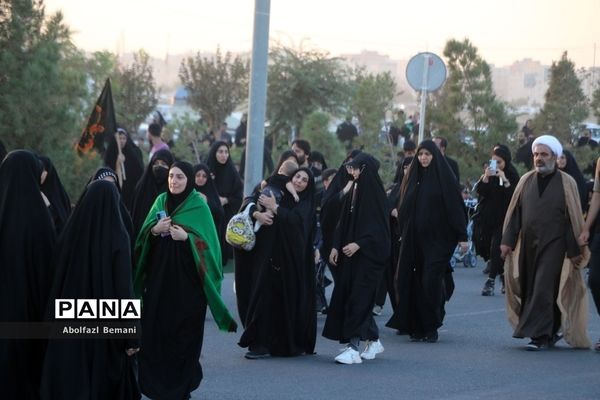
{"x":314,"y":129}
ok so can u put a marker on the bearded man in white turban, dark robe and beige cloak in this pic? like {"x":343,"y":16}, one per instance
{"x":545,"y":291}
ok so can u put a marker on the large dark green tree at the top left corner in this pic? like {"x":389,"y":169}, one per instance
{"x":42,"y":87}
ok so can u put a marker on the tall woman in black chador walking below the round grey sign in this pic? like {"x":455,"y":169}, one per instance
{"x":433,"y":220}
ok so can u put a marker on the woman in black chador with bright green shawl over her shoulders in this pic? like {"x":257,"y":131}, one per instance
{"x":178,"y":274}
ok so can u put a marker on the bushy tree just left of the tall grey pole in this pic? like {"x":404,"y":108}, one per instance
{"x":216,"y":85}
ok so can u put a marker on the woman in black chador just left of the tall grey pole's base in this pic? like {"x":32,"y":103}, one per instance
{"x":229,"y":186}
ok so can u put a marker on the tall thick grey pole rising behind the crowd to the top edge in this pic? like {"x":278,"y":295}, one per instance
{"x":258,"y":96}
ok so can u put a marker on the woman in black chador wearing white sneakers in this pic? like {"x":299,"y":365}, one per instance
{"x":360,"y":249}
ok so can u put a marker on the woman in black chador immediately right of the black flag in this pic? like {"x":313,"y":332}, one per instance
{"x":129,"y":163}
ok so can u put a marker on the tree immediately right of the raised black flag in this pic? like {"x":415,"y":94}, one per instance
{"x":136,"y":94}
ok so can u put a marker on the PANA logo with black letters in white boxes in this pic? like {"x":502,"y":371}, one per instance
{"x":97,"y":309}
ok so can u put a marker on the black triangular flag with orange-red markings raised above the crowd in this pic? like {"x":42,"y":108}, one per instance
{"x":101,"y":124}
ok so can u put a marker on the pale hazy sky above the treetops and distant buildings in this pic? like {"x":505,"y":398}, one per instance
{"x":503,"y":30}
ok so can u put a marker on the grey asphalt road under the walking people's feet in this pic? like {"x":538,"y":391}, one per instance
{"x":475,"y":358}
